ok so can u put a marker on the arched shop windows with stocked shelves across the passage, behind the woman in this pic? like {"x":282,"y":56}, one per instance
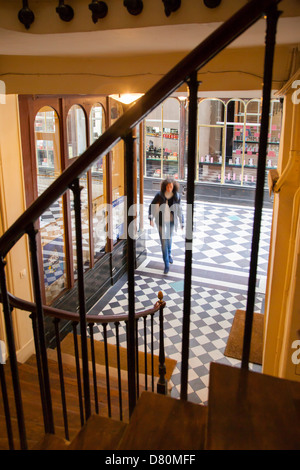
{"x":227,"y":141}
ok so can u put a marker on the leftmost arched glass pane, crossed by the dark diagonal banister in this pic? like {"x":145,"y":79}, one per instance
{"x":51,"y":222}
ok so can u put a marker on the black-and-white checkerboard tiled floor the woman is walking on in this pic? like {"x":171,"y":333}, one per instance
{"x":221,"y":257}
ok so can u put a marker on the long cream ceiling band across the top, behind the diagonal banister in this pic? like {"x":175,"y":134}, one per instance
{"x":136,"y":41}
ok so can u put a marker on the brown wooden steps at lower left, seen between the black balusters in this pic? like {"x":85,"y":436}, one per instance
{"x":30,"y":392}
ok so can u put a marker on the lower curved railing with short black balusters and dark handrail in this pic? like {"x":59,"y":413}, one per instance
{"x":112,"y":322}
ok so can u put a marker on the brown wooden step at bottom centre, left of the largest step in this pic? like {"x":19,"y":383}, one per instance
{"x":160,"y":422}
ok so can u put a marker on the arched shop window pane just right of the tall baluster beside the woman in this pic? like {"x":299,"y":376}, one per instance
{"x":210,"y":140}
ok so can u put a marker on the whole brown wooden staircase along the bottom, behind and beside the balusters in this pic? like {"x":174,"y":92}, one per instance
{"x":246,"y":410}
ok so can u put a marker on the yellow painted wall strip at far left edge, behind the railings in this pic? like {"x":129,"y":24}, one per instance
{"x":12,"y":205}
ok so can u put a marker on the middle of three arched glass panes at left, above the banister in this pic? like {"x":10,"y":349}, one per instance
{"x":76,"y":131}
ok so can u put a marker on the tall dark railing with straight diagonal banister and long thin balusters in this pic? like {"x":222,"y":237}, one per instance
{"x":184,"y":72}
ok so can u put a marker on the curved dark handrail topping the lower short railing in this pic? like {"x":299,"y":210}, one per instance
{"x":28,"y":306}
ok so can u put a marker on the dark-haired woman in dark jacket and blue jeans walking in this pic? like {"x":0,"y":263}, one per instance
{"x":165,"y":210}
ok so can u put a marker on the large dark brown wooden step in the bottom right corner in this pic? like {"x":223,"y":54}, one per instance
{"x":252,"y":411}
